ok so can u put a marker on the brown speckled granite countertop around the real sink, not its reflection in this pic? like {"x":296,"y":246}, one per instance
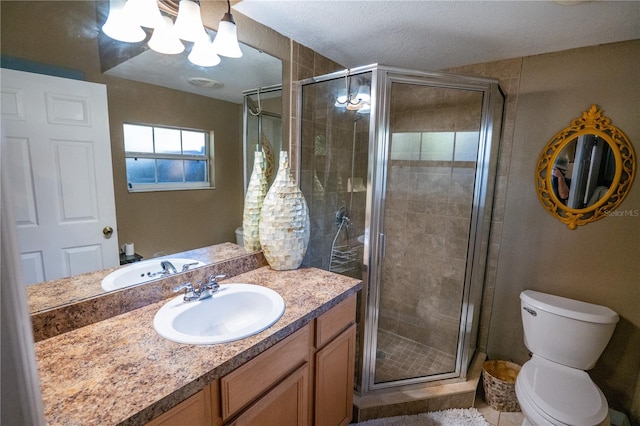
{"x":120,"y":371}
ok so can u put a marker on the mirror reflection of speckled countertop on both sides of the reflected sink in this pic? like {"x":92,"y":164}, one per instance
{"x":63,"y":291}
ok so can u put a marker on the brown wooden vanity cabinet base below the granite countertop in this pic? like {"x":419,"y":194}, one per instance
{"x":308,"y":374}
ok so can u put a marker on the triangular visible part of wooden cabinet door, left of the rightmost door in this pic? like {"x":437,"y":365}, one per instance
{"x":285,"y":404}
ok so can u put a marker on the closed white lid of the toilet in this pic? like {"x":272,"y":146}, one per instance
{"x":566,"y":394}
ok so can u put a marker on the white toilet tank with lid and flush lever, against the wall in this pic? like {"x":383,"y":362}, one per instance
{"x":565,"y":331}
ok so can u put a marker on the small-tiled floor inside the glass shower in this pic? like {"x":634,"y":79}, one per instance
{"x":401,"y":358}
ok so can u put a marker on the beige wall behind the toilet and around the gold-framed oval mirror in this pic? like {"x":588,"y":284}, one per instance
{"x":597,"y":263}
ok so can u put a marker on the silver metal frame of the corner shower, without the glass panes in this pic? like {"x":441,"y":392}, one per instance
{"x":381,"y":82}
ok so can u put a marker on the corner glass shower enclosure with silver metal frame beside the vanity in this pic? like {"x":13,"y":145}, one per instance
{"x":398,"y":168}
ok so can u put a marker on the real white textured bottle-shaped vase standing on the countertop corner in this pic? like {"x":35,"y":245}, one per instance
{"x":284,"y":226}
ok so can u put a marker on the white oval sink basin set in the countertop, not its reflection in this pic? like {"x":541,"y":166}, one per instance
{"x":236,"y":311}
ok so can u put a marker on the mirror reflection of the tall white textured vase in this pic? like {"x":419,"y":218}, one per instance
{"x":256,"y":191}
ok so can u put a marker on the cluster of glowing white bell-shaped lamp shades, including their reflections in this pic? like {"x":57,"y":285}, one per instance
{"x":127,"y":17}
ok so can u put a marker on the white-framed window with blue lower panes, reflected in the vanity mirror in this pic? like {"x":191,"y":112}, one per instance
{"x":167,"y":158}
